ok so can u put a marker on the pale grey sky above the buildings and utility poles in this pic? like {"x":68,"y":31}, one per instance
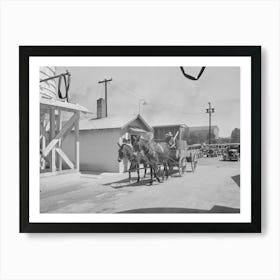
{"x":169,"y":96}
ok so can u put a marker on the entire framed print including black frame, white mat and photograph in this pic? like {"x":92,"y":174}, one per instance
{"x":141,"y":135}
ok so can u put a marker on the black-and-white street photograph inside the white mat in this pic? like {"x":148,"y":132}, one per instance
{"x":139,"y":139}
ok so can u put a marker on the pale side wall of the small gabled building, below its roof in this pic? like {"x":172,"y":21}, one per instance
{"x":98,"y":149}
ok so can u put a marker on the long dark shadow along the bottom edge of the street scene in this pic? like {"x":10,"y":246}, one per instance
{"x":164,"y":210}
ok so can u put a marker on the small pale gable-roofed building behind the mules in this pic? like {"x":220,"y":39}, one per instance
{"x":99,"y":138}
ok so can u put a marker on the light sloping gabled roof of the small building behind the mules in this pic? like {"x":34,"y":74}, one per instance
{"x":113,"y":121}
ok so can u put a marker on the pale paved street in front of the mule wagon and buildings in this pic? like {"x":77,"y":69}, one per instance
{"x":214,"y":188}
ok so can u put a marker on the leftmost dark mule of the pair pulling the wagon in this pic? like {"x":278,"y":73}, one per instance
{"x":135,"y":159}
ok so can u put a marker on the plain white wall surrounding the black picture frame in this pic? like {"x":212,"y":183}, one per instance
{"x":119,"y":256}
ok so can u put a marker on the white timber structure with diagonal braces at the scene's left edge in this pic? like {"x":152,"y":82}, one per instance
{"x":52,"y":132}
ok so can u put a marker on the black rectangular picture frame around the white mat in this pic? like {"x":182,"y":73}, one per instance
{"x":254,"y":52}
